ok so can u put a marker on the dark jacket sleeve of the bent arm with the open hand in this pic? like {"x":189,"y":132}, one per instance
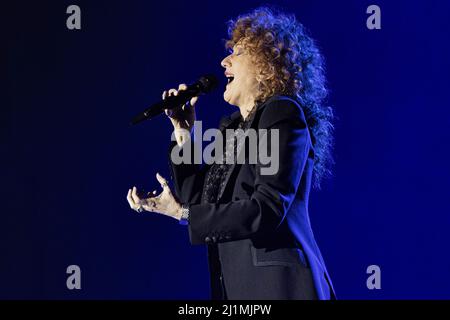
{"x":273,"y":193}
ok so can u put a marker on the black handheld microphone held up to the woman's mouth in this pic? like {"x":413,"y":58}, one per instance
{"x":204,"y":85}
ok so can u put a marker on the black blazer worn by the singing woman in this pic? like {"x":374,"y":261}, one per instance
{"x":260,"y":242}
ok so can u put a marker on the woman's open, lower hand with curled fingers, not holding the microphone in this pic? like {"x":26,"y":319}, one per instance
{"x":164,"y":203}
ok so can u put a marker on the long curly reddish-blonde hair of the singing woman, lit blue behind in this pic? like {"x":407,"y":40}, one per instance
{"x":289,"y":63}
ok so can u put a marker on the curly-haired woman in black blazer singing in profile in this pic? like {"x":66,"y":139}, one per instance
{"x":256,"y":227}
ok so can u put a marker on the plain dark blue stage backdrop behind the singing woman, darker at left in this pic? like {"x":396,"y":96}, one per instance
{"x":69,"y":155}
